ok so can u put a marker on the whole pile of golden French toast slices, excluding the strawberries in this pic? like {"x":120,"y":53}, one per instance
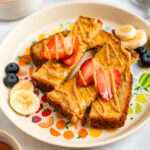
{"x":72,"y":100}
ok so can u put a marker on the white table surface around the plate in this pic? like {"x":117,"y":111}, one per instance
{"x":138,"y":141}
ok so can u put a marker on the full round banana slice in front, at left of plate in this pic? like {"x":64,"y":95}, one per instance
{"x":24,"y":102}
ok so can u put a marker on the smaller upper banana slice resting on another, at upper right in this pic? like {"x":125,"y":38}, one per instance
{"x":125,"y":32}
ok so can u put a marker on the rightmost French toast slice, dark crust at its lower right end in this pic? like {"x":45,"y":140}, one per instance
{"x":112,"y":114}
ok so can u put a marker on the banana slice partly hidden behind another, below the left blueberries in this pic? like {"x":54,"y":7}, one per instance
{"x":22,"y":85}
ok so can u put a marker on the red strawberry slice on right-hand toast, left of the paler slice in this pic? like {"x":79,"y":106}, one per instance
{"x":87,"y":73}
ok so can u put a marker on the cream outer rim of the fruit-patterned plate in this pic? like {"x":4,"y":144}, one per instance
{"x":67,"y":145}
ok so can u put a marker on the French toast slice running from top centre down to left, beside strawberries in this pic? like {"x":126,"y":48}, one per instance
{"x":54,"y":73}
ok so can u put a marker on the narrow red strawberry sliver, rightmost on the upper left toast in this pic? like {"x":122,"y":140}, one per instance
{"x":70,"y":61}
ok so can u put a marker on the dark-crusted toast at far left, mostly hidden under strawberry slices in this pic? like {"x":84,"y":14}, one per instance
{"x":36,"y":49}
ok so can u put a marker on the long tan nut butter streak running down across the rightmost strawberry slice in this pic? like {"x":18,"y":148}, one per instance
{"x":116,"y":106}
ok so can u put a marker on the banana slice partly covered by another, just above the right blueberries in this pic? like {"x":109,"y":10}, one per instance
{"x":138,"y":40}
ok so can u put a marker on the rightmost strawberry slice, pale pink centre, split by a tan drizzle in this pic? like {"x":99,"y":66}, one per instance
{"x":104,"y":85}
